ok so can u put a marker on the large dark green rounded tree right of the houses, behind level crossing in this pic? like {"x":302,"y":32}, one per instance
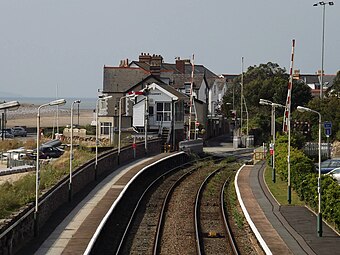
{"x":266,"y":81}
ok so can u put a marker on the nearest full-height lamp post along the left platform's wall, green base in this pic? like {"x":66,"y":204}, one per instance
{"x":37,"y":172}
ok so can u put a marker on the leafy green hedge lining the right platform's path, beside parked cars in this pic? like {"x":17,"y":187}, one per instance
{"x":304,"y":181}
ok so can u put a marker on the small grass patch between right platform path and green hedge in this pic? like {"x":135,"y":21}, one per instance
{"x":279,"y":189}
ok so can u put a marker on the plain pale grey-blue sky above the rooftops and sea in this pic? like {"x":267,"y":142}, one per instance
{"x":52,"y":48}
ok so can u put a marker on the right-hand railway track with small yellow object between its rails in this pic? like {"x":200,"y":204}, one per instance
{"x":213,"y":233}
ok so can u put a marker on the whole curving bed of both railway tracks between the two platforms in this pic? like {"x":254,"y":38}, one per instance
{"x":163,"y":219}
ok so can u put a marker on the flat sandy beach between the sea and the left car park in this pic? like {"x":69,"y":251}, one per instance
{"x":26,"y":115}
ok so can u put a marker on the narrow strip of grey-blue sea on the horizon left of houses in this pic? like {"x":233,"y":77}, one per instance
{"x":85,"y":104}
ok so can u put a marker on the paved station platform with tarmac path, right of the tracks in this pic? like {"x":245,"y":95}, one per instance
{"x":283,"y":229}
